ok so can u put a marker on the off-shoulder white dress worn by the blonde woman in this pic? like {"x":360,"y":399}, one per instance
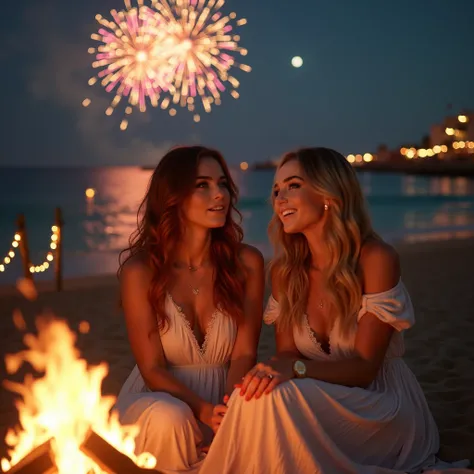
{"x":306,"y":426}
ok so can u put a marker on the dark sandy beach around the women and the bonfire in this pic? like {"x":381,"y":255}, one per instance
{"x":440,"y":348}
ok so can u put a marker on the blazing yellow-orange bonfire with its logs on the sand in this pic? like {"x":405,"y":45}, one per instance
{"x":65,"y":426}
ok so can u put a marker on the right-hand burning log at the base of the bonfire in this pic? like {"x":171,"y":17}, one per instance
{"x":108,"y":458}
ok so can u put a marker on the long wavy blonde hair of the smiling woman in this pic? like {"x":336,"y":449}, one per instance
{"x":347,"y":226}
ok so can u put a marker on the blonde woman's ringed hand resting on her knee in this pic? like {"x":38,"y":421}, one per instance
{"x":264,"y":377}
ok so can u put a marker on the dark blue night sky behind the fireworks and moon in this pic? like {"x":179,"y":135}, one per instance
{"x":374,"y":72}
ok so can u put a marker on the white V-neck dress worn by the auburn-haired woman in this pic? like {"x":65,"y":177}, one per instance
{"x":168,"y":428}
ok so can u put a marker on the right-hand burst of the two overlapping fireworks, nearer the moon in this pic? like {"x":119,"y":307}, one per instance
{"x":200,"y":50}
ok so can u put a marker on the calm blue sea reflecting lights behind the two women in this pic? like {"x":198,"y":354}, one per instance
{"x":402,"y":207}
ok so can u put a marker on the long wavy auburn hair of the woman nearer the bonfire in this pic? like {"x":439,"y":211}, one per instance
{"x":161,"y":225}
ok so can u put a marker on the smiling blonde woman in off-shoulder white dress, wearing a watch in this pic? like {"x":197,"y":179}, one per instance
{"x":338,"y":397}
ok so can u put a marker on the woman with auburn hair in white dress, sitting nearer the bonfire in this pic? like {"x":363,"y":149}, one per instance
{"x":192,"y":296}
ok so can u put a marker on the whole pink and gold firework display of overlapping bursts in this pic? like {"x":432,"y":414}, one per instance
{"x":173,"y":53}
